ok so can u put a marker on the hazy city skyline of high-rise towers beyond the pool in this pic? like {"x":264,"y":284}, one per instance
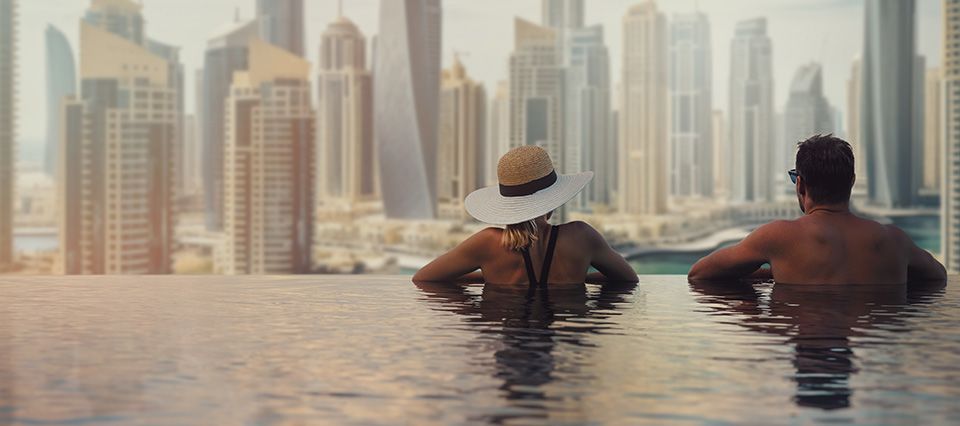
{"x":393,"y":143}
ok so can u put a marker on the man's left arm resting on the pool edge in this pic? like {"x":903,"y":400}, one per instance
{"x":741,"y":260}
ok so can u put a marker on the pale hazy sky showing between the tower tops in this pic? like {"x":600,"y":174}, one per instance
{"x":826,"y":31}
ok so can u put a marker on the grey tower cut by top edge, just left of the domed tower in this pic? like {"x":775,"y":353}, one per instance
{"x":281,"y":23}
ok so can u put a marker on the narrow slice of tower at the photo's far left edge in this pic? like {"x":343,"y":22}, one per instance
{"x":8,"y":125}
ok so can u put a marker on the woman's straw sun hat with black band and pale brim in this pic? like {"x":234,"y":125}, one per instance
{"x":528,"y":188}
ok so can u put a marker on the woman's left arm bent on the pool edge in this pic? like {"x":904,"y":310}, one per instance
{"x":458,"y":262}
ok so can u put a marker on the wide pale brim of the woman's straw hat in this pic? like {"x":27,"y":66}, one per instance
{"x":488,"y":206}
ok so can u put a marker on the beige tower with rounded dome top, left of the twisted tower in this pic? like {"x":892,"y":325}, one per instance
{"x":347,"y":166}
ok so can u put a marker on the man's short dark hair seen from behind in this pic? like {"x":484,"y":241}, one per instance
{"x":825,"y":163}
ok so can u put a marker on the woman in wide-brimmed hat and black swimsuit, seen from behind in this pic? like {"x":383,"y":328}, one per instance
{"x":528,"y":250}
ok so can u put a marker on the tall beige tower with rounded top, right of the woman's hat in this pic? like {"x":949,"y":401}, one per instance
{"x":643,"y":120}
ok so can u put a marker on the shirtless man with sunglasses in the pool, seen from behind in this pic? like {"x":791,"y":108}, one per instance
{"x":828,"y":244}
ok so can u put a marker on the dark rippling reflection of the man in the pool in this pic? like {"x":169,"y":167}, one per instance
{"x":823,"y":323}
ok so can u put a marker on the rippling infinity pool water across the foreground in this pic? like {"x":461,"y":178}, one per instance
{"x":374,"y":349}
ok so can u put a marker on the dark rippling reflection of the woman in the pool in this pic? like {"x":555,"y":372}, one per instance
{"x":540,"y":335}
